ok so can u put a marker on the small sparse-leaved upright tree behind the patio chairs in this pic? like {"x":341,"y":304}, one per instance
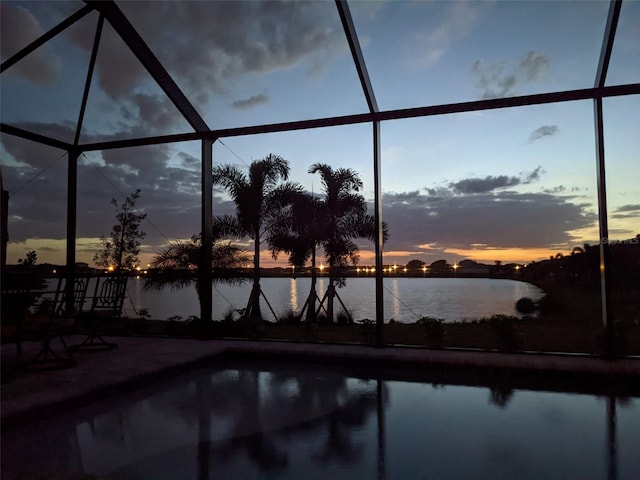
{"x":121,"y":249}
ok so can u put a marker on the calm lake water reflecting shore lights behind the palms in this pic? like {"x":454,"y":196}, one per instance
{"x":405,"y":299}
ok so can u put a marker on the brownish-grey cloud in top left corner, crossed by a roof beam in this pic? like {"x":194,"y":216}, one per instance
{"x":20,"y":28}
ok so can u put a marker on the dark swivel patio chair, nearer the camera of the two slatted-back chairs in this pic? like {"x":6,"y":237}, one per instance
{"x":54,"y":319}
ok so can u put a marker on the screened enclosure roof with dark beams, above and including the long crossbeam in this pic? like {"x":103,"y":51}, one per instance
{"x":110,"y":74}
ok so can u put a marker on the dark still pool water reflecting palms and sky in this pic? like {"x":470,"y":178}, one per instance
{"x":278,"y":421}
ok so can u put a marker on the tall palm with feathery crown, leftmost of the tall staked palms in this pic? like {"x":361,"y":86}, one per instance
{"x":256,"y":208}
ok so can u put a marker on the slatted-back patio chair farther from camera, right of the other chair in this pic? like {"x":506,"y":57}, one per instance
{"x":106,"y":305}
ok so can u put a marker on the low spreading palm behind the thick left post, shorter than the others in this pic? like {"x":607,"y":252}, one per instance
{"x":177,"y":265}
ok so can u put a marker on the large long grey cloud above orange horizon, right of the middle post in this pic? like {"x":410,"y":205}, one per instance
{"x":501,"y":220}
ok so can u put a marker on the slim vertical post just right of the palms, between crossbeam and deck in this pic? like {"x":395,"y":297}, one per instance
{"x":377,"y":182}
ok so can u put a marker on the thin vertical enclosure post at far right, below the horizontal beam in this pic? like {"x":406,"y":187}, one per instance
{"x":607,"y":319}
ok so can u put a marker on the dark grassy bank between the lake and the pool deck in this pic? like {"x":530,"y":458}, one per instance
{"x":499,"y":333}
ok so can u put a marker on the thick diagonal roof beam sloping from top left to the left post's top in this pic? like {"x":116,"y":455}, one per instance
{"x":134,"y":41}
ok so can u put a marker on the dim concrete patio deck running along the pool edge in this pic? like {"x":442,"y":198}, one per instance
{"x":140,"y":360}
